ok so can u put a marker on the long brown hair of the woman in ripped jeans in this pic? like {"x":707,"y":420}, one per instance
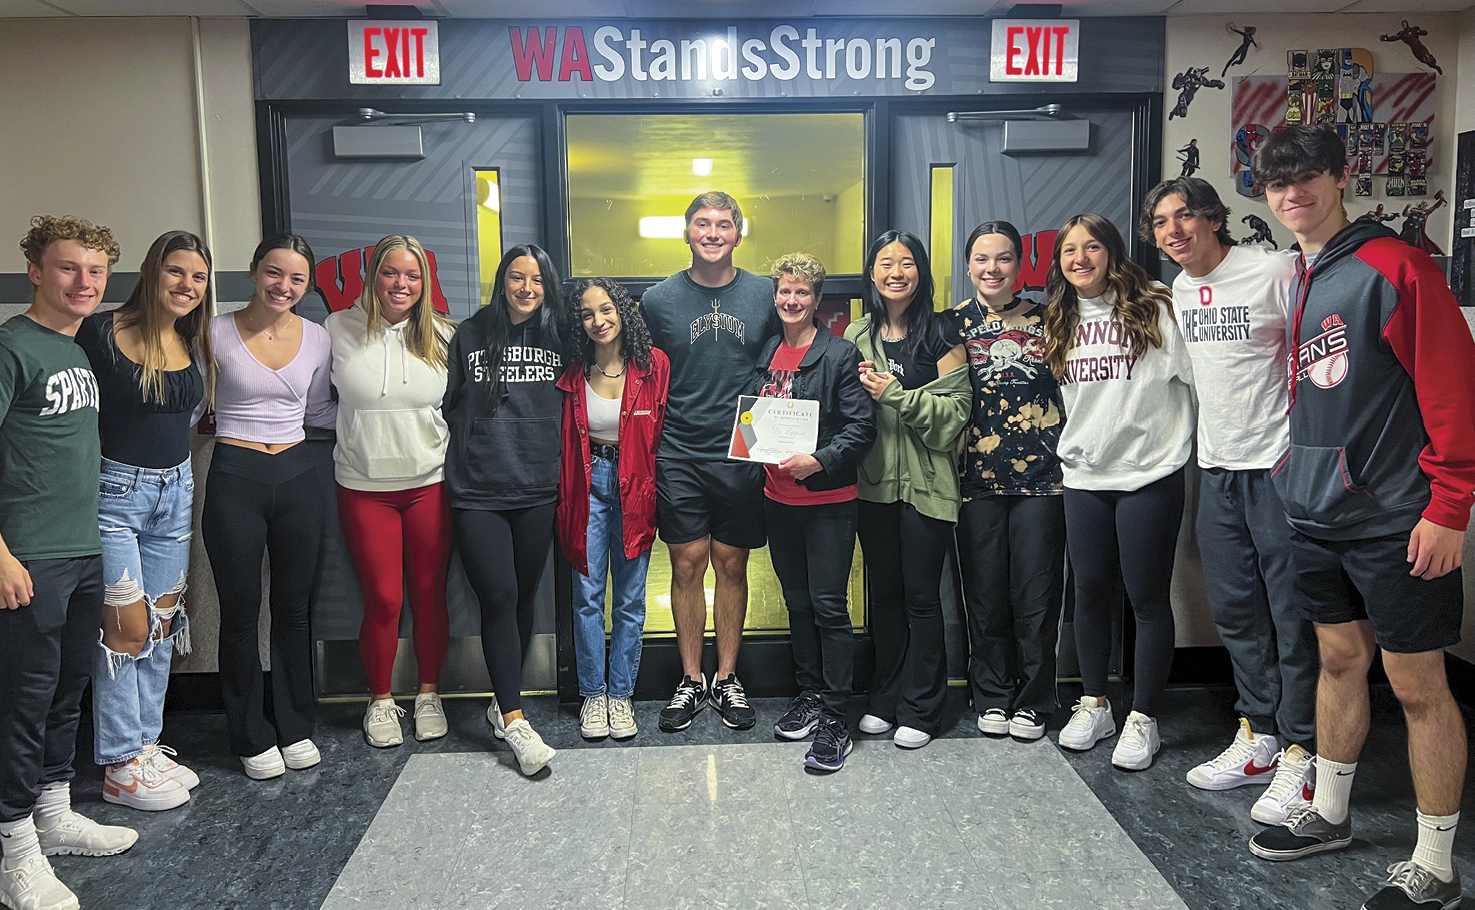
{"x":145,"y":312}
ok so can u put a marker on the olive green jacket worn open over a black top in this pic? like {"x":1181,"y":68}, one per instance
{"x":918,"y":440}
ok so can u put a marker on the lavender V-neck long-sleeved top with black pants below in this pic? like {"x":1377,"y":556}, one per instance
{"x":259,"y":405}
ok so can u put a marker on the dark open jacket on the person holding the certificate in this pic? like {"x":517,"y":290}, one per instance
{"x":830,"y":374}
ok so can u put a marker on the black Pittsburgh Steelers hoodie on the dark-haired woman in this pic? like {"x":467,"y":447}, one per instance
{"x":505,"y":445}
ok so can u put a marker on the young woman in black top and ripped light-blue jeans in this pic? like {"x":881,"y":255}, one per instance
{"x":153,"y":361}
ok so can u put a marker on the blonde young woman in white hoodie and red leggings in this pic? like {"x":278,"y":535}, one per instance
{"x":390,"y":355}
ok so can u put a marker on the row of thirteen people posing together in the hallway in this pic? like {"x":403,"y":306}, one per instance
{"x":1330,"y":392}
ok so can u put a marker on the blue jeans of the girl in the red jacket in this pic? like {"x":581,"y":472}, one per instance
{"x":607,"y":558}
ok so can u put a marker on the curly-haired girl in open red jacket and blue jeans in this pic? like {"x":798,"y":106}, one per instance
{"x":614,"y":408}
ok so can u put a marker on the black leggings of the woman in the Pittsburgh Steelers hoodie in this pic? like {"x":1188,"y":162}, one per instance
{"x":504,"y":555}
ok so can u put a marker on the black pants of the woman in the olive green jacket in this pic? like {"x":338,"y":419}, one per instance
{"x":905,"y":552}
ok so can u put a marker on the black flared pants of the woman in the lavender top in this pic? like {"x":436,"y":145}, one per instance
{"x":259,"y":504}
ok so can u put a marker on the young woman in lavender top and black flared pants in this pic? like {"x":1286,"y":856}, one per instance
{"x":263,"y":496}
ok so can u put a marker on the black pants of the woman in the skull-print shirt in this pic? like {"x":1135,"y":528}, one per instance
{"x":1013,"y":557}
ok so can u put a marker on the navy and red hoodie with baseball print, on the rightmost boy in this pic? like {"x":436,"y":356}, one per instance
{"x":1383,"y":393}
